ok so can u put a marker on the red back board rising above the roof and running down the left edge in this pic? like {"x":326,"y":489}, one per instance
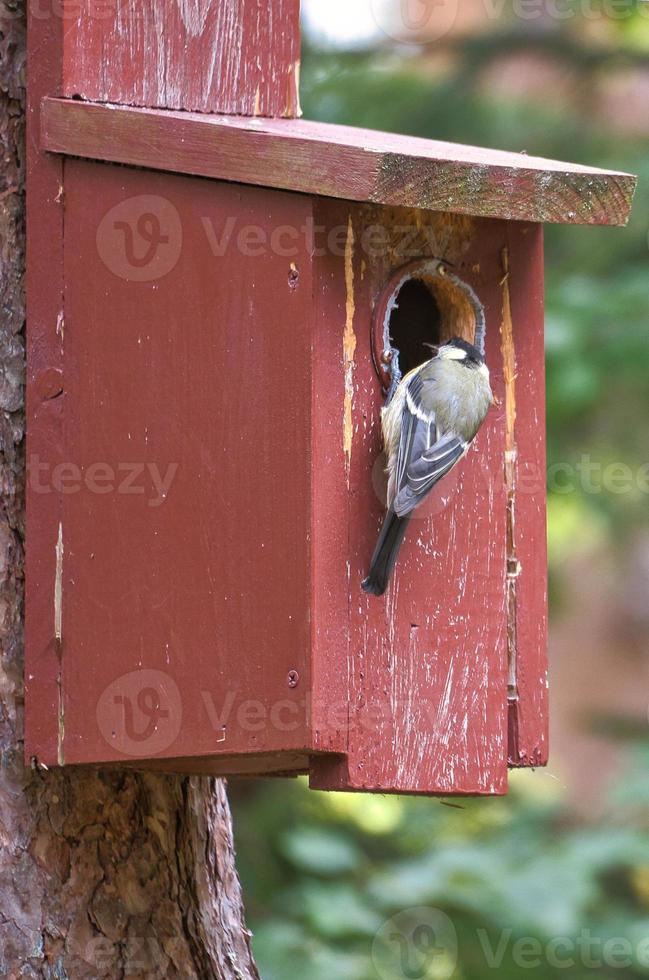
{"x":209,"y":59}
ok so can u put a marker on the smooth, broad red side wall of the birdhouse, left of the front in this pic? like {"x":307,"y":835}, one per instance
{"x":185,"y":555}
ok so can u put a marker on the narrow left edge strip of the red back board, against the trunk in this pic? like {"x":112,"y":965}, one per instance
{"x":45,"y":407}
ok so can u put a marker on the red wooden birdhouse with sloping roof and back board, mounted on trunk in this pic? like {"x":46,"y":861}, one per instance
{"x":211,"y":292}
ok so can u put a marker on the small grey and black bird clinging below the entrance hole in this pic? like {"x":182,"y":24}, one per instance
{"x":428,"y":424}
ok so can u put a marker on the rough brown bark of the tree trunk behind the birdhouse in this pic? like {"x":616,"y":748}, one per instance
{"x":102,"y":875}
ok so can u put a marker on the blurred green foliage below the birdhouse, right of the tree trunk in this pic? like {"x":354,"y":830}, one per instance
{"x":322,"y":873}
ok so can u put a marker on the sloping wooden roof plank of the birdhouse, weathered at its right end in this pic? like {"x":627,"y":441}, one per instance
{"x":342,"y":162}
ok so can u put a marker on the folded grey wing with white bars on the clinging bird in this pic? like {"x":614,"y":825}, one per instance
{"x":424,"y":456}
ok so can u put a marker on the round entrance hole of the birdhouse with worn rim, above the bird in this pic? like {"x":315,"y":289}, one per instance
{"x":423,"y":304}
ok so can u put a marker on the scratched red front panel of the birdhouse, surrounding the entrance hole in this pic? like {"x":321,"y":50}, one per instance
{"x":445,"y":675}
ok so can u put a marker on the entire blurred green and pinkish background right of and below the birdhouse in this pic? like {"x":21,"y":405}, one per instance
{"x":562,"y":863}
